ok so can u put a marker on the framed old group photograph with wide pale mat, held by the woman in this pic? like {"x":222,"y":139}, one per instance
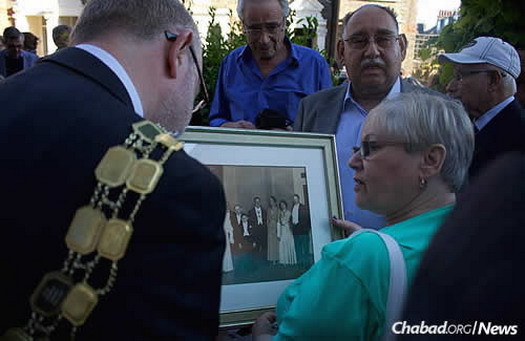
{"x":281,"y":190}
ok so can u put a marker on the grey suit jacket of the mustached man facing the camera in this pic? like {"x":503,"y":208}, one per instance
{"x":321,"y":111}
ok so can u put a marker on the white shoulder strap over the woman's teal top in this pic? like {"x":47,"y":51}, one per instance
{"x":398,"y":281}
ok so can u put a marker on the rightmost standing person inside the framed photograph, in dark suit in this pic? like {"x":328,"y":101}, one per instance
{"x":301,"y":231}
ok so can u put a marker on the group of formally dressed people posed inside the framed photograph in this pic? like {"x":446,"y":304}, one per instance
{"x":276,"y":234}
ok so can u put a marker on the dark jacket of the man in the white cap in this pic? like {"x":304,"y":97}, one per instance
{"x":504,"y":133}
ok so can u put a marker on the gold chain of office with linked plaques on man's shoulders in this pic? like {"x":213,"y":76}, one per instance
{"x":99,"y":232}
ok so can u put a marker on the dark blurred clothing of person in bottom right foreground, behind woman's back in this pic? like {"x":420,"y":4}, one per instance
{"x":472,"y":268}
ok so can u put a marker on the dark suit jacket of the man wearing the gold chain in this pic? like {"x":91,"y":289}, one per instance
{"x":168,"y":283}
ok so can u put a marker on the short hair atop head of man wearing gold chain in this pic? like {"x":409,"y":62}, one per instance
{"x":139,"y":19}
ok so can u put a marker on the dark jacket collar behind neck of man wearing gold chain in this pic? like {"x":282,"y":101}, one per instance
{"x":91,"y":67}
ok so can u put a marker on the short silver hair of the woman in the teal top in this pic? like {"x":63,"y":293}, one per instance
{"x":423,"y":120}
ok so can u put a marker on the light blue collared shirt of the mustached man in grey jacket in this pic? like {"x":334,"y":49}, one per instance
{"x":347,"y":136}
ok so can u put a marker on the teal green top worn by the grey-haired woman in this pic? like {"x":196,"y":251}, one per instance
{"x":343,"y":296}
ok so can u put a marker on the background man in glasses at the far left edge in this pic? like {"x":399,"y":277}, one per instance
{"x":13,"y":58}
